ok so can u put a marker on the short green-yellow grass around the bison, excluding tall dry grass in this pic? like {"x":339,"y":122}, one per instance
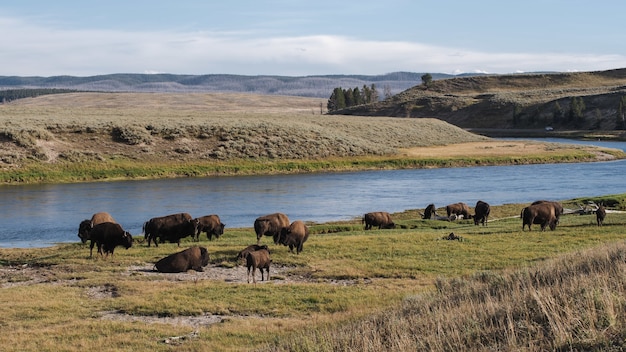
{"x":349,"y":275}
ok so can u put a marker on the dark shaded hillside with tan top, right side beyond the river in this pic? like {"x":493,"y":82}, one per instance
{"x":512,"y":101}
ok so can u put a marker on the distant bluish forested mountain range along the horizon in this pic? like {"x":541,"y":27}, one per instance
{"x":305,"y":86}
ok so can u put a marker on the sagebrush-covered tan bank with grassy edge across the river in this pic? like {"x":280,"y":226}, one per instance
{"x":84,"y":137}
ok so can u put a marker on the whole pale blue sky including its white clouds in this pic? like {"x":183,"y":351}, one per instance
{"x":304,"y":38}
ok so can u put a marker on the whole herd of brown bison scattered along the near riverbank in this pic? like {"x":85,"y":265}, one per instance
{"x":105,"y":233}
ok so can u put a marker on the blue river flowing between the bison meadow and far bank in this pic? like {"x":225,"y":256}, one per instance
{"x":42,"y":215}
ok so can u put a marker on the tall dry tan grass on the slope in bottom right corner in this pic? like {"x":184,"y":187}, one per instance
{"x":573,"y":302}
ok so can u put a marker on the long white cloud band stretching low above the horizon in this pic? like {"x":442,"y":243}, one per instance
{"x":33,"y":50}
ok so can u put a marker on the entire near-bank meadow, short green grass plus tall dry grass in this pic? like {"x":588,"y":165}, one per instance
{"x":406,"y":289}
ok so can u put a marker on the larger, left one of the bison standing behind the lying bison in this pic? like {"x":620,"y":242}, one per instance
{"x":170,"y":228}
